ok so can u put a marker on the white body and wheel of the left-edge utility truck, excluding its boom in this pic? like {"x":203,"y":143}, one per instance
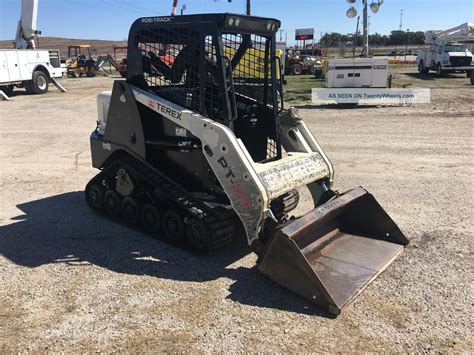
{"x":32,"y":69}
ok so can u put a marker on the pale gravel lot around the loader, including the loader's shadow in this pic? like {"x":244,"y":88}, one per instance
{"x":72,"y":281}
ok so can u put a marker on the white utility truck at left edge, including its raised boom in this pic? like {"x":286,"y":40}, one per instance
{"x":25,"y":66}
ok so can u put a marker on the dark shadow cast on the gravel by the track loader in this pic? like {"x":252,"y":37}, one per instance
{"x":62,"y":229}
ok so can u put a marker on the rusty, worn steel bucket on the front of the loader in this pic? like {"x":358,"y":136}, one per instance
{"x":333,"y":252}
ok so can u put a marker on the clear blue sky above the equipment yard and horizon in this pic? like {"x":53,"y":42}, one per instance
{"x":111,"y":19}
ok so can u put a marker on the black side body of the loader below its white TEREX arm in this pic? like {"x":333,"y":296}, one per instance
{"x":141,"y":132}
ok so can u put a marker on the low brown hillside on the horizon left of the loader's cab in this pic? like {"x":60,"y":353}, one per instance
{"x":99,"y":47}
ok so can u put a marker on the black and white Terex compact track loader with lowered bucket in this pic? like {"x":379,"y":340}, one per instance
{"x":197,"y":136}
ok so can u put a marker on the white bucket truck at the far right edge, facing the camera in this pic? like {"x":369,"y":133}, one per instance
{"x":447,"y":52}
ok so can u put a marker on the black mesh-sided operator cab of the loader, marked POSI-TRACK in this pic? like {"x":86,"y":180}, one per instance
{"x":222,"y":66}
